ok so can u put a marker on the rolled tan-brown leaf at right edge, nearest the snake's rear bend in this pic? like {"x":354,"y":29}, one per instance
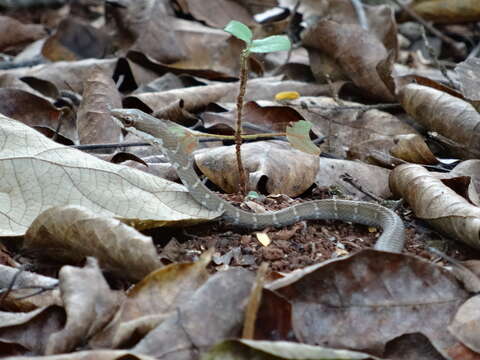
{"x":434,"y":202}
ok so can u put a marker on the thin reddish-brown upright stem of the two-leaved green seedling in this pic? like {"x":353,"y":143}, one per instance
{"x":238,"y":130}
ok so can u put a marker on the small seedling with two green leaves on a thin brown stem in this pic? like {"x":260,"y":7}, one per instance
{"x":265,"y":45}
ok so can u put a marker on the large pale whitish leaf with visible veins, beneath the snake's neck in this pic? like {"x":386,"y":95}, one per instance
{"x":38,"y":173}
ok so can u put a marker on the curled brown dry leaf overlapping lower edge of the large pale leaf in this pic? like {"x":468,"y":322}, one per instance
{"x":71,"y":233}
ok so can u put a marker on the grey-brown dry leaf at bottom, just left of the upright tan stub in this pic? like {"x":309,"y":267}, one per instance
{"x":185,"y":333}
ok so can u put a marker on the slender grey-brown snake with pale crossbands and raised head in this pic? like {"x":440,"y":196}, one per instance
{"x":170,"y":139}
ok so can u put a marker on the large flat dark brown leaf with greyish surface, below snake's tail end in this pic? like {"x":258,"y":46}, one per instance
{"x":382,"y":296}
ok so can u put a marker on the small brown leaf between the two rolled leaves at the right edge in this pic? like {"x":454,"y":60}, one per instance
{"x":412,"y":148}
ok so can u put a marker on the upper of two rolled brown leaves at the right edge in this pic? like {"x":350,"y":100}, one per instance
{"x":450,"y":116}
